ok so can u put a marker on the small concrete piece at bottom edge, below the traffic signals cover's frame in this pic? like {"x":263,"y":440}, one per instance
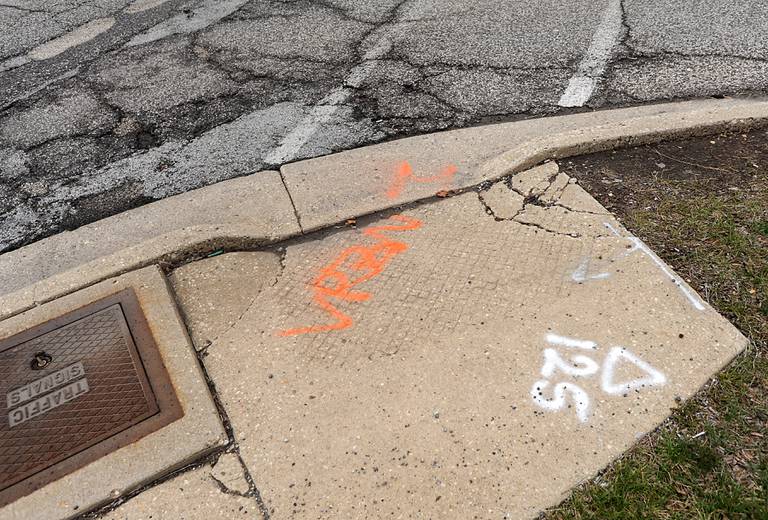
{"x":193,"y":495}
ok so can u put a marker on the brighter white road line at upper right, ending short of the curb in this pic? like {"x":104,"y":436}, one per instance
{"x":591,"y":68}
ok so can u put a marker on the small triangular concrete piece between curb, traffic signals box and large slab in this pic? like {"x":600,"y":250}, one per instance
{"x":213,"y":296}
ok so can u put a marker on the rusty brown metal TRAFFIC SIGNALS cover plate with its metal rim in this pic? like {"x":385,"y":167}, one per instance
{"x":77,"y":388}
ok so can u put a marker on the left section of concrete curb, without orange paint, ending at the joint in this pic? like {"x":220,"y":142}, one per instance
{"x":245,"y":211}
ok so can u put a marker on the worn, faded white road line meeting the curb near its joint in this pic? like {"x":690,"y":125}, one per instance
{"x":324,"y":110}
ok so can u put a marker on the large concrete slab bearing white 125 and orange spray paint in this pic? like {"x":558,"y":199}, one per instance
{"x":444,"y":363}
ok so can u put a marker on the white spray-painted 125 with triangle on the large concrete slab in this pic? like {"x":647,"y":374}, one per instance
{"x":584,"y":366}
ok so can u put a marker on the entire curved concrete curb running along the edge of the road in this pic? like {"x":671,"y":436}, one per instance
{"x":269,"y":206}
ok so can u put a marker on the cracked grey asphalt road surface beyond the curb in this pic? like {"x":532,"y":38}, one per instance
{"x":108,"y":104}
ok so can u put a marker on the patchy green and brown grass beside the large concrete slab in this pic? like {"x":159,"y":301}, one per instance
{"x":710,"y":460}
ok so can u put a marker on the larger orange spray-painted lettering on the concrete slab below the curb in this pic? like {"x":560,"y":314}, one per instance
{"x":363,"y":263}
